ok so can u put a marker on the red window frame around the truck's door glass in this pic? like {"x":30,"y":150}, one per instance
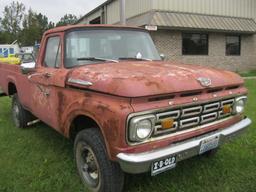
{"x":60,"y":50}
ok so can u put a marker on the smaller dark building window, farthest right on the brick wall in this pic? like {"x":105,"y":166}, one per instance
{"x":233,"y":45}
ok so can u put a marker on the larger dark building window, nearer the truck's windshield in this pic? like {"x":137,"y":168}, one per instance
{"x":194,"y":44}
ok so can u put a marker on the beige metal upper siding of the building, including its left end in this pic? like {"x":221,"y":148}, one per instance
{"x":233,"y":8}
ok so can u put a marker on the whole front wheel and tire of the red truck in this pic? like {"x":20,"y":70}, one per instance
{"x":97,"y":172}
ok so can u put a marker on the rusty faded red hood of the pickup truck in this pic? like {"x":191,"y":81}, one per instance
{"x":137,"y":79}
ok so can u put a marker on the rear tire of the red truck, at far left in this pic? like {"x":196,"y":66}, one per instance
{"x":20,"y":116}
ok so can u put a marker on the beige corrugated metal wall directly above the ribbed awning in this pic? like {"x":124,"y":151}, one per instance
{"x":234,"y":8}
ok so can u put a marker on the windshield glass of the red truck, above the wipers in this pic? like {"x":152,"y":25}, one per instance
{"x":94,"y":46}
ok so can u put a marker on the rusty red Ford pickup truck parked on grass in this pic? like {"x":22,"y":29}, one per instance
{"x":127,"y":110}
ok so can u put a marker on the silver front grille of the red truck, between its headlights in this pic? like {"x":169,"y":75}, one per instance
{"x":192,"y":116}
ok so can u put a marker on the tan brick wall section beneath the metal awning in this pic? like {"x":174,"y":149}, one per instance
{"x":170,"y":43}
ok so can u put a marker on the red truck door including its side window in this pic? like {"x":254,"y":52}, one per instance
{"x":48,"y":81}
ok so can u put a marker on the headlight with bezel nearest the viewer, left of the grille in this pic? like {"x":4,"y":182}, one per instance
{"x":141,"y":128}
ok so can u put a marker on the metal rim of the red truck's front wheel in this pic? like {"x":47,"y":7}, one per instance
{"x":88,"y":166}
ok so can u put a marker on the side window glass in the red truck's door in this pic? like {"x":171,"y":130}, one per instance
{"x":53,"y":53}
